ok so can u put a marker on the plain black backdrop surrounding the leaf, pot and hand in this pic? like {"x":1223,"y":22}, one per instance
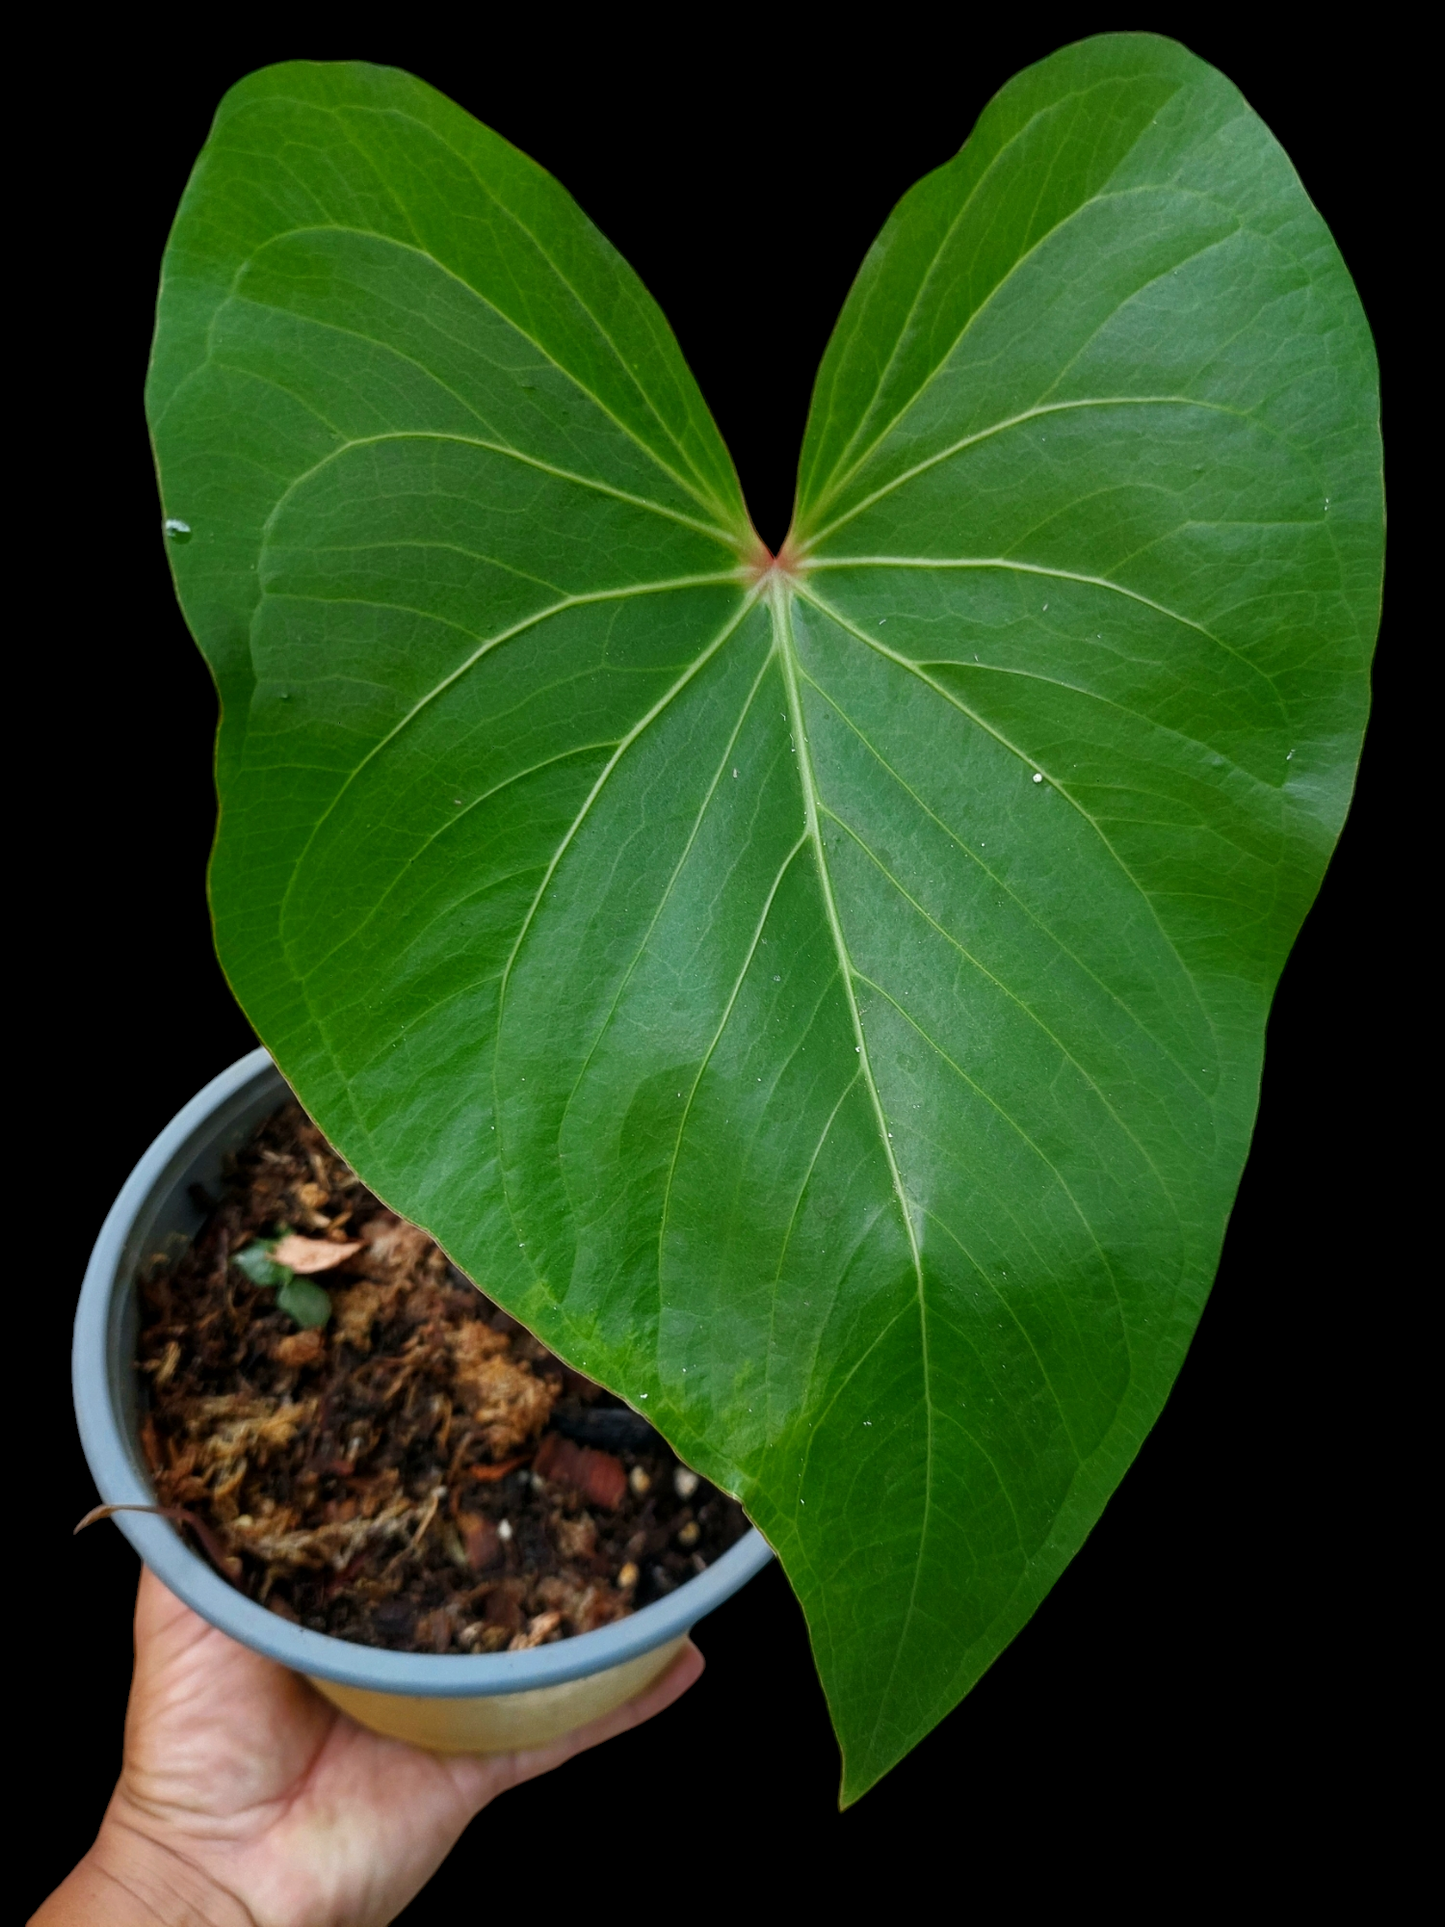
{"x":1186,"y":1703}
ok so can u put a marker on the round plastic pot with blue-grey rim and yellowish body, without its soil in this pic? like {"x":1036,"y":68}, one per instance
{"x":448,"y":1703}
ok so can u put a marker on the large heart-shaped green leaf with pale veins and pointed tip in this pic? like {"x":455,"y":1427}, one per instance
{"x":824,"y":1001}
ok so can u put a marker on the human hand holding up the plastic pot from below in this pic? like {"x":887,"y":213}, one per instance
{"x":248,"y":1801}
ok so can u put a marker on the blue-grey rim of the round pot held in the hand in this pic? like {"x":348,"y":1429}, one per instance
{"x":117,"y":1469}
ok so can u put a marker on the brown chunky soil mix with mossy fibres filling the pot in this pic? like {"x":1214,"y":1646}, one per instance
{"x":419,"y":1473}
